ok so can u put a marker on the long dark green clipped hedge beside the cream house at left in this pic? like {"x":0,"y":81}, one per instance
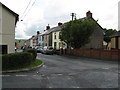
{"x":14,"y":60}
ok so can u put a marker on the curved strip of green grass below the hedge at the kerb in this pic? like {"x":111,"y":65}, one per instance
{"x":36,"y":63}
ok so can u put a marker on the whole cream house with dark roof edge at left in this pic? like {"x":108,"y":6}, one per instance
{"x":8,"y":20}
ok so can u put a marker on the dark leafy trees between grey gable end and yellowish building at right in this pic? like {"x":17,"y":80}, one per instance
{"x":108,"y":34}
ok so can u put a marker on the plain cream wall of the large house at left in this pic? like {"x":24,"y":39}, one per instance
{"x":8,"y":30}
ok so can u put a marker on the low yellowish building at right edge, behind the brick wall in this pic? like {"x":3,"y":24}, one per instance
{"x":115,"y":41}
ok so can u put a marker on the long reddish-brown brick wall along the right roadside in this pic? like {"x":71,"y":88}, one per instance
{"x":98,"y":54}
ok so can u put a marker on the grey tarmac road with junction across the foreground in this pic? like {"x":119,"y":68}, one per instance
{"x":66,"y":72}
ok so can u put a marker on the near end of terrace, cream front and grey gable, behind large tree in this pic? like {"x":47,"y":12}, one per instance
{"x":50,"y":36}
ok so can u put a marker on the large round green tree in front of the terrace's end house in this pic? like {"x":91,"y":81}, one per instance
{"x":76,"y":33}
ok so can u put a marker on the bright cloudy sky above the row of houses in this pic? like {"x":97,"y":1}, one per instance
{"x":40,"y":13}
